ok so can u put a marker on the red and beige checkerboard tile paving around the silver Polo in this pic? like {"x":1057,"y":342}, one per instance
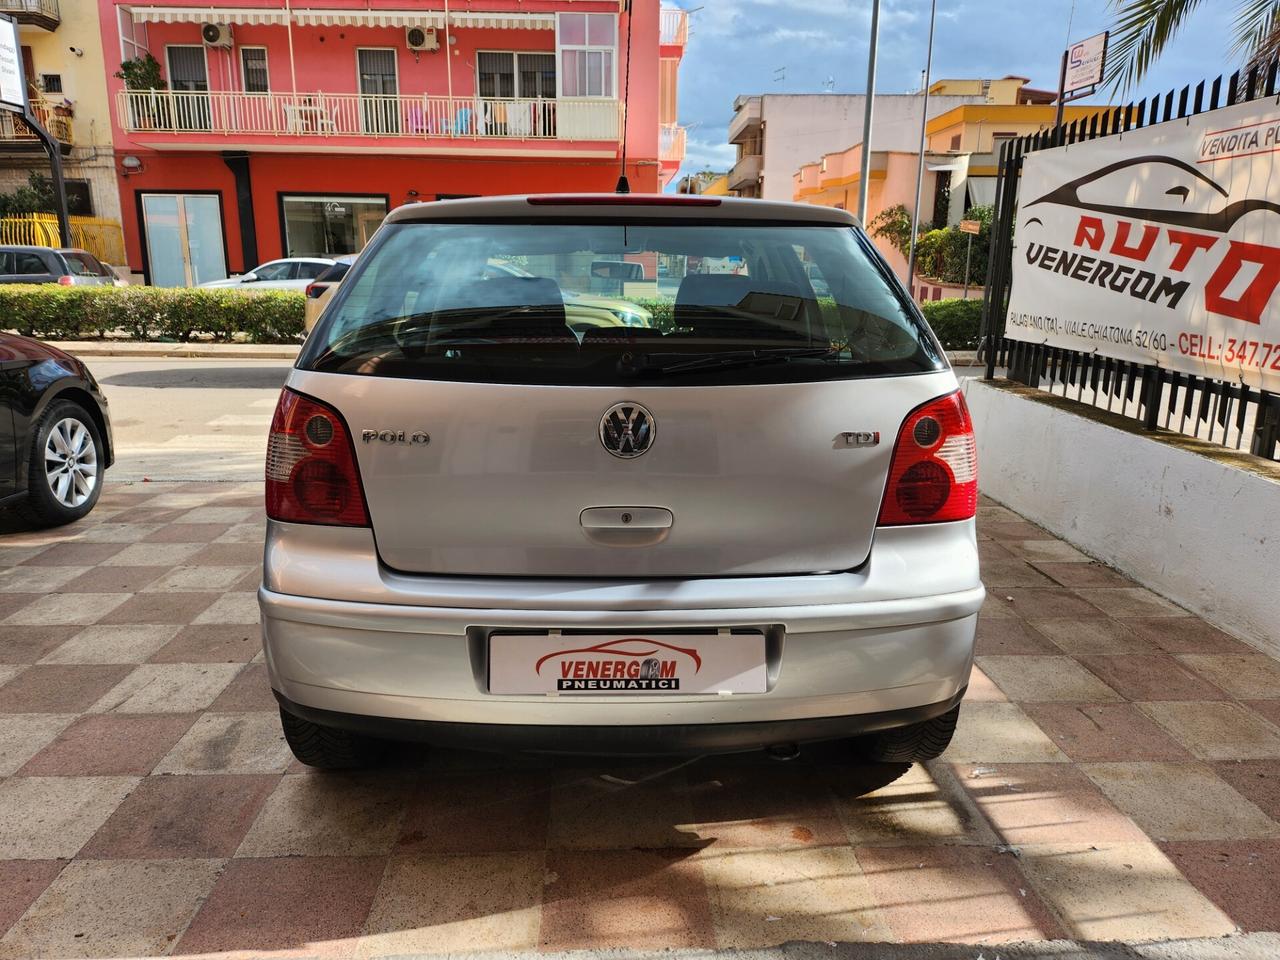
{"x":1117,"y":774}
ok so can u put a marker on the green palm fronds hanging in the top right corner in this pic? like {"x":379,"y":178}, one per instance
{"x":1144,"y":29}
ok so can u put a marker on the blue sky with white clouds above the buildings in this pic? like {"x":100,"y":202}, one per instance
{"x":810,"y":47}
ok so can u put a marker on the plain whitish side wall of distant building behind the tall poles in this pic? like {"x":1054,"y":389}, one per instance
{"x":801,"y":129}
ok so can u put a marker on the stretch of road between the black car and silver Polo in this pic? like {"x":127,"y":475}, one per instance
{"x":190,"y":419}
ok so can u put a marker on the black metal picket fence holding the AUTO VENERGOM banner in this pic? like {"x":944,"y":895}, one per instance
{"x":1231,"y":414}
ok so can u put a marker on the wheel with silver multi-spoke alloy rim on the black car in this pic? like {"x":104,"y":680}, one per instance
{"x":65,"y":465}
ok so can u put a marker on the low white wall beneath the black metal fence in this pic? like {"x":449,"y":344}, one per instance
{"x":1203,"y":533}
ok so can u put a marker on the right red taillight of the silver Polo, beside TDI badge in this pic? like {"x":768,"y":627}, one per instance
{"x":934,"y":477}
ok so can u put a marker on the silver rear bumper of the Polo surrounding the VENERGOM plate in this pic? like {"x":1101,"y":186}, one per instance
{"x":847,"y":652}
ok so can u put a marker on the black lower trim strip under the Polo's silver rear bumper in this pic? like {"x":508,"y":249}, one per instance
{"x":633,"y":740}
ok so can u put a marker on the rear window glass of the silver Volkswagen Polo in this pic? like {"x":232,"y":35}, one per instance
{"x":607,"y":304}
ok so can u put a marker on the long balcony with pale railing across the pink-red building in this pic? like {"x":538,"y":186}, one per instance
{"x":179,"y":116}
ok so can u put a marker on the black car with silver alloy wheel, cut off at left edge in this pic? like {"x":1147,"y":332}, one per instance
{"x":56,"y":436}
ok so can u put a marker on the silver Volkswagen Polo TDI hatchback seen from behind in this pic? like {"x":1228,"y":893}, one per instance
{"x":497,"y":519}
